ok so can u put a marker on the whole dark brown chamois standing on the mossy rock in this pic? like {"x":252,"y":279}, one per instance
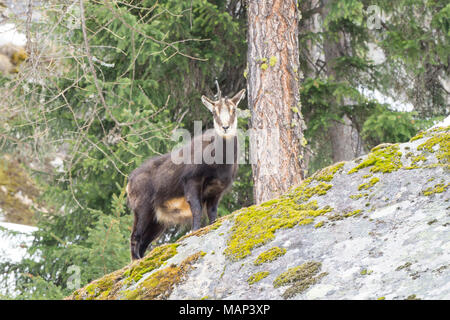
{"x":163,"y":192}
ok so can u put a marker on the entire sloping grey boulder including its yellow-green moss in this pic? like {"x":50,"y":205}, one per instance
{"x":373,"y":228}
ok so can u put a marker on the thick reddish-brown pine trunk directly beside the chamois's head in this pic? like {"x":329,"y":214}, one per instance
{"x":274,"y":97}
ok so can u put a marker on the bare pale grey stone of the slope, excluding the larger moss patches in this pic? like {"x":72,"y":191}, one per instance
{"x":390,"y":240}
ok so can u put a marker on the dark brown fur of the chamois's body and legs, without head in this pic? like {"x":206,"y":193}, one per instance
{"x":158,"y":180}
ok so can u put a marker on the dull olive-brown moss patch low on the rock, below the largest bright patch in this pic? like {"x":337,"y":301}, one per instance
{"x":299,"y":278}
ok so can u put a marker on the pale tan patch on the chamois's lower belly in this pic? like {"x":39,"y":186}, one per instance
{"x":174,"y":211}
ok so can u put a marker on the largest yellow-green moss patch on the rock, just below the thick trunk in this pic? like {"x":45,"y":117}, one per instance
{"x":256,"y":225}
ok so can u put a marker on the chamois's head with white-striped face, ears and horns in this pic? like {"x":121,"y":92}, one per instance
{"x":224,"y":111}
